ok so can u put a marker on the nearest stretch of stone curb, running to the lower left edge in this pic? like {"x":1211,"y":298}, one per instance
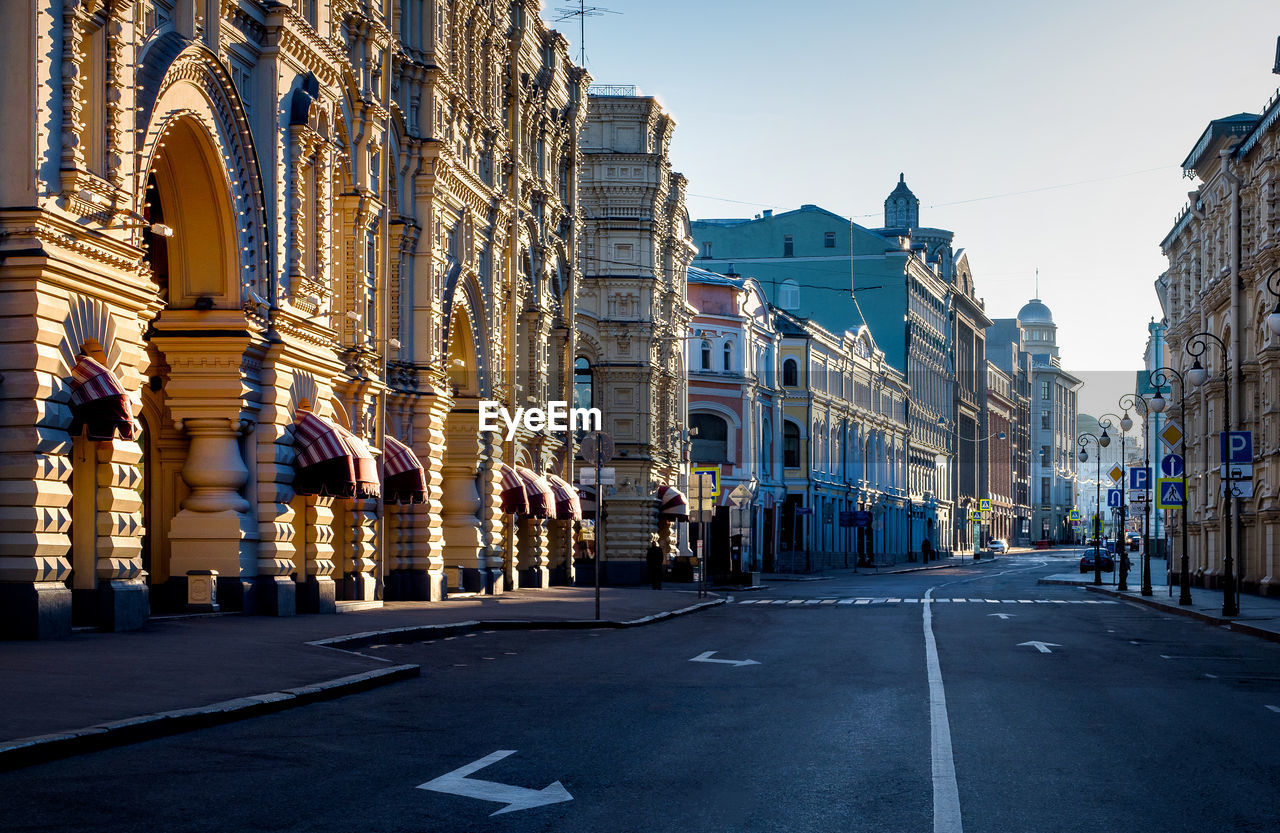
{"x":47,"y":748}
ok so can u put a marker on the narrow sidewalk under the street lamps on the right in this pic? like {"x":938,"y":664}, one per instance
{"x":1260,"y":616}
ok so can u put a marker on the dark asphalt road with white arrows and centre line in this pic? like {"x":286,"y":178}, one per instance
{"x":1127,"y":720}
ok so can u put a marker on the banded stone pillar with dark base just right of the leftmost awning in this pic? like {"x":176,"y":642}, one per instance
{"x":124,"y":603}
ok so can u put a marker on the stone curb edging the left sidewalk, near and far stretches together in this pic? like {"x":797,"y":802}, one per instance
{"x":47,"y":748}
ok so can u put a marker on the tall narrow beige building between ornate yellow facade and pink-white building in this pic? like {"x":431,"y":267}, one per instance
{"x":633,"y":315}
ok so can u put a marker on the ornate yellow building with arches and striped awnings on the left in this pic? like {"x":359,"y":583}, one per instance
{"x":353,"y":216}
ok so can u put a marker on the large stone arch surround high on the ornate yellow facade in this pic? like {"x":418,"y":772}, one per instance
{"x":186,"y":95}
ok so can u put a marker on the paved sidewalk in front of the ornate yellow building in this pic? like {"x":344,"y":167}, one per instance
{"x":97,"y":690}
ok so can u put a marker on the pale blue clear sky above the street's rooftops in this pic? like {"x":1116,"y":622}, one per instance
{"x":1046,"y":136}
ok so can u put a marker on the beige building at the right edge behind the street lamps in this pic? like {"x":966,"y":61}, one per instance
{"x":1223,"y":251}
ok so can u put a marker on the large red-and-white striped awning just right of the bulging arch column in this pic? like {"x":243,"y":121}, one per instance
{"x":332,"y":461}
